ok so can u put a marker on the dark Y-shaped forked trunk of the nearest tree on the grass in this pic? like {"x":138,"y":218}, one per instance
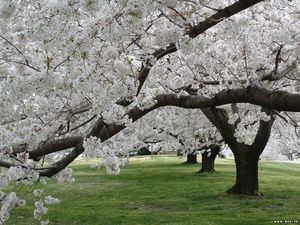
{"x":246,"y":156}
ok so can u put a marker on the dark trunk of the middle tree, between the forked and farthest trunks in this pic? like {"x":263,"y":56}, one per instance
{"x":208,"y":159}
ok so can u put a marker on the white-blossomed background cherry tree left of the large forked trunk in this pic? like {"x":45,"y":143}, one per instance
{"x":192,"y":131}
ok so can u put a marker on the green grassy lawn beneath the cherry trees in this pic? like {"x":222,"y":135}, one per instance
{"x":162,"y":190}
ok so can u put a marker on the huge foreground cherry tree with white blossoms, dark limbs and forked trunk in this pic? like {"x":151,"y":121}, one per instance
{"x":73,"y":74}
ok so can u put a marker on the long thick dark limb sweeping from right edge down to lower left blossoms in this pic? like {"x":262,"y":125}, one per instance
{"x":278,"y":100}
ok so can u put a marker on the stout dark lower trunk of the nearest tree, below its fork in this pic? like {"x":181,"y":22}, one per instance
{"x":246,"y":162}
